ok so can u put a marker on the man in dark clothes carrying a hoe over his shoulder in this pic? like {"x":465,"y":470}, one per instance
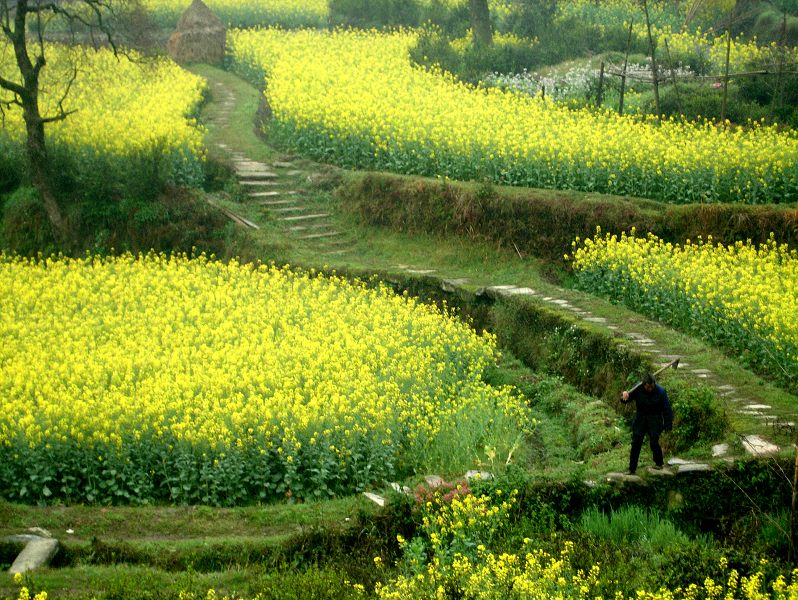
{"x":654,"y":415}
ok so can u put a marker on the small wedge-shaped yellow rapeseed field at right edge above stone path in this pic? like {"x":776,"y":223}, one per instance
{"x":743,"y":296}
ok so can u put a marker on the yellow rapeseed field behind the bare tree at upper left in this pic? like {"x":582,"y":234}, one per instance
{"x":123,"y":107}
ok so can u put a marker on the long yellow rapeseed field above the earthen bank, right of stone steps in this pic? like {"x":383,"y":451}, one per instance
{"x":354,"y":97}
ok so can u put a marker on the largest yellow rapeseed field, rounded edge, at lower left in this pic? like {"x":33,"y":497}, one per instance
{"x":199,"y":380}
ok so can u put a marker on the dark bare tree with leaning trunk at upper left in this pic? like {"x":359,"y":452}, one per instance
{"x":23,"y":24}
